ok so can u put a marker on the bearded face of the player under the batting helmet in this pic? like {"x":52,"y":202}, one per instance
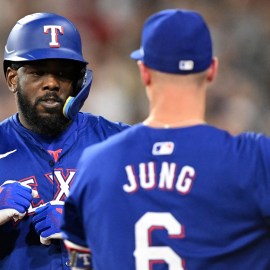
{"x":42,"y":89}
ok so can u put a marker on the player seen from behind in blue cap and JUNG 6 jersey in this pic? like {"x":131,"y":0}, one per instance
{"x":173,"y":192}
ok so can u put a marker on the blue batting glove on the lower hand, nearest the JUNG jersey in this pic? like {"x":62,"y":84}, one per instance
{"x":47,"y":221}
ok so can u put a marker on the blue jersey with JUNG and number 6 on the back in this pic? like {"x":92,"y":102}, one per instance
{"x":190,"y":198}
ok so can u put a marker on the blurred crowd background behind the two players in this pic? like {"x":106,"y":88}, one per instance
{"x":239,"y":99}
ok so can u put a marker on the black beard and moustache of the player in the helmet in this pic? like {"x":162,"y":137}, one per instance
{"x":51,"y":125}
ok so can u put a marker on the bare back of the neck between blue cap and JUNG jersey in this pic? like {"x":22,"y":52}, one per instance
{"x":176,"y":107}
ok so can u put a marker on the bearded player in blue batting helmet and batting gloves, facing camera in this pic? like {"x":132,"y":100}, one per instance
{"x":41,"y":144}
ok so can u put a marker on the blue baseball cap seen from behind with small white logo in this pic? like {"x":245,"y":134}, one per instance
{"x":175,"y":41}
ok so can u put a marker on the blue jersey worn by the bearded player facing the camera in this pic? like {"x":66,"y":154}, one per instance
{"x":48,"y":166}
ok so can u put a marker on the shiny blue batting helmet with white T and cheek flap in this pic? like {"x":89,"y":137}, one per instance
{"x":42,"y":36}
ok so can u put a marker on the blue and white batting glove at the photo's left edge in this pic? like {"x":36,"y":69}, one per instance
{"x":15,"y":199}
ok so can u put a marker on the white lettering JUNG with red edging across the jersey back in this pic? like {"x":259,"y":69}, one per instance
{"x":167,"y":179}
